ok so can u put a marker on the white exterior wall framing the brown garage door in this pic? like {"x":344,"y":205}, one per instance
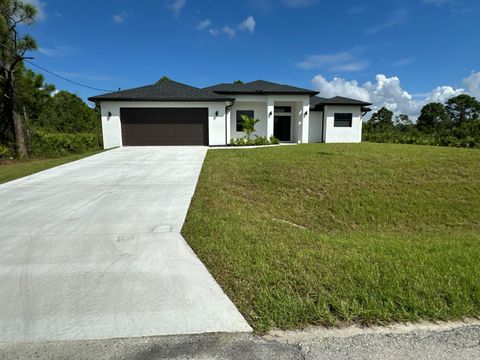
{"x":112,"y":127}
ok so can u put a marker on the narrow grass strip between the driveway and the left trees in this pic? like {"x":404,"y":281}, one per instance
{"x":14,"y":169}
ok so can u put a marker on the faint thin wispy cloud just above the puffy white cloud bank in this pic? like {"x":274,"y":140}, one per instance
{"x":344,"y":61}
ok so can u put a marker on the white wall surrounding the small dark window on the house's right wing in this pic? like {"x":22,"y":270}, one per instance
{"x":343,"y":134}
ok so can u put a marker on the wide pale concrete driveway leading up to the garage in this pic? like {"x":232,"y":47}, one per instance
{"x":92,"y":249}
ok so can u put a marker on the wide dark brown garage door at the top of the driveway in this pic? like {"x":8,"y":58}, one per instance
{"x":164,"y":126}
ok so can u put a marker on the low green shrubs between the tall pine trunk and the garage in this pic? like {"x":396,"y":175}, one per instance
{"x":43,"y":144}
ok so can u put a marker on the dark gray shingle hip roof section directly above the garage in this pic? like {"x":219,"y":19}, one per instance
{"x":167,"y":90}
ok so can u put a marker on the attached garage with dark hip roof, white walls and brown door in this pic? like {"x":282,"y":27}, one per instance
{"x":164,"y":113}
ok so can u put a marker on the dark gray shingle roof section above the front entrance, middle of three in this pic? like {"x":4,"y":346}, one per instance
{"x":259,"y":86}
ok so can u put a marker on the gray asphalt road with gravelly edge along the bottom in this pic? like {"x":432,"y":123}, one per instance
{"x":447,"y":342}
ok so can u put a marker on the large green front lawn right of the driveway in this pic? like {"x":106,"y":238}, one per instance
{"x":334,"y":234}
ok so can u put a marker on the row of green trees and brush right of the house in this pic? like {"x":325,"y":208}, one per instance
{"x":455,"y":123}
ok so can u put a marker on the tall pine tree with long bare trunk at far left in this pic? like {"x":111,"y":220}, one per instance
{"x":14,"y":13}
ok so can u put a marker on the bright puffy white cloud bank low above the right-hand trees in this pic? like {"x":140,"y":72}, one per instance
{"x":384,"y":91}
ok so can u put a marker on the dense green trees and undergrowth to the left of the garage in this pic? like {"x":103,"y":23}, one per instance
{"x":35,"y":118}
